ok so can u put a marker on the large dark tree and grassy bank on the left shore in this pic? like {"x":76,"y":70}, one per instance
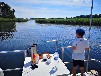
{"x":7,"y":14}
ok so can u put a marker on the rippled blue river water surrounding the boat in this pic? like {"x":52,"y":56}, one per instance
{"x":20,"y":36}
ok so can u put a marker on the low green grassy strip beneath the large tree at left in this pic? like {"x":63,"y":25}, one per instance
{"x":13,"y":20}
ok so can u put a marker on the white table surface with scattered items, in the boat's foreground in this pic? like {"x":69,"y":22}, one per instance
{"x":44,"y":69}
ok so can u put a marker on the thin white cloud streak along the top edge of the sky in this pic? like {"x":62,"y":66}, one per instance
{"x":55,"y":2}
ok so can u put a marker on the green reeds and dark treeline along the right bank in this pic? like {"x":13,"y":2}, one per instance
{"x":78,"y":20}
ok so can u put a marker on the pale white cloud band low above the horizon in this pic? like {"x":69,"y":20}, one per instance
{"x":44,"y":12}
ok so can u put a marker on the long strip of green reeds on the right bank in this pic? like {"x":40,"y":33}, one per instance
{"x":70,"y":21}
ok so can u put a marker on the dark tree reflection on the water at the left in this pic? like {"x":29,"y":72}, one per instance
{"x":6,"y":30}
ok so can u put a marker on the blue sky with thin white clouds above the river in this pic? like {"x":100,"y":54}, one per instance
{"x":53,"y":8}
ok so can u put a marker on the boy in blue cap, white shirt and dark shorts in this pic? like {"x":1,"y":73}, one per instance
{"x":79,"y":46}
